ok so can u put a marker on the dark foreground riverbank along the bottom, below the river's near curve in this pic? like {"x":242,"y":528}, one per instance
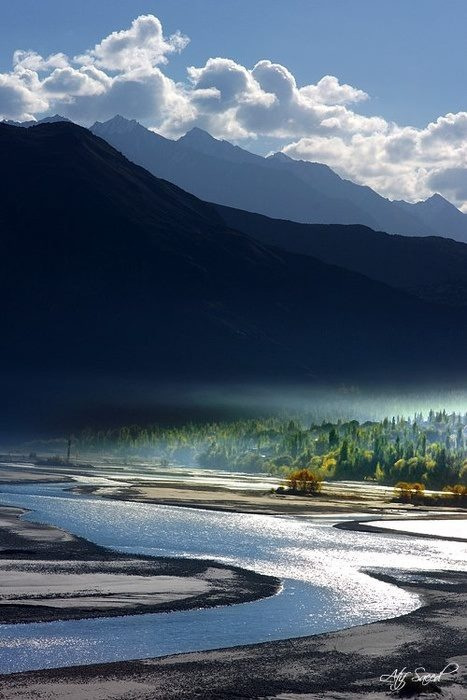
{"x":343,"y":665}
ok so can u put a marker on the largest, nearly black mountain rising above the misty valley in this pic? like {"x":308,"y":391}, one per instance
{"x":111,"y":272}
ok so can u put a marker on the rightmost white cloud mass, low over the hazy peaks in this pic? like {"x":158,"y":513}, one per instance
{"x":399,"y":162}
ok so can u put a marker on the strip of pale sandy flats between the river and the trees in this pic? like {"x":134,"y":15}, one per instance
{"x":239,"y":493}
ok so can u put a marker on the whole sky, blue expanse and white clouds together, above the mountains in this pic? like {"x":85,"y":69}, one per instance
{"x":377,"y":89}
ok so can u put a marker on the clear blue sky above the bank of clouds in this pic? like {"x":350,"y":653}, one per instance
{"x":409,"y":55}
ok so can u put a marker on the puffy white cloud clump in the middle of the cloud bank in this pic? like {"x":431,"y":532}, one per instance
{"x":268,"y":102}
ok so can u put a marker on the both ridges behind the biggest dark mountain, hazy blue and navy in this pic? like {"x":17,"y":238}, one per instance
{"x":433,"y":268}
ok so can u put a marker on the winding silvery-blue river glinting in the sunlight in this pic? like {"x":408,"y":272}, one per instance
{"x":322,"y":568}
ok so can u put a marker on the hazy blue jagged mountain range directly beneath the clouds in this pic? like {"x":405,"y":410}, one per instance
{"x":277,"y":186}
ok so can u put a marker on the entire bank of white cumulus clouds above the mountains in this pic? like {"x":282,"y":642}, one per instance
{"x":124,"y":74}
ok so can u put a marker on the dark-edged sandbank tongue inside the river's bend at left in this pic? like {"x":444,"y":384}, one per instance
{"x":48,"y":574}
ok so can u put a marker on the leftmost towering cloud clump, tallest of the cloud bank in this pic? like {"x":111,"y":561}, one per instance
{"x":121,"y":74}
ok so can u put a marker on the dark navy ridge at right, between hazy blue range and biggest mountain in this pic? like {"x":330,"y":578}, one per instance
{"x":431,"y":267}
